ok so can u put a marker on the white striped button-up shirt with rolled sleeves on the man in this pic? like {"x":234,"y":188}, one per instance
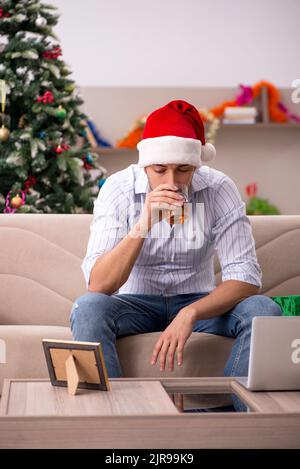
{"x":169,"y":265}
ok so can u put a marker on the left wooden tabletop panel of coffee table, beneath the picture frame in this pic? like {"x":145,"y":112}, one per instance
{"x":35,"y":398}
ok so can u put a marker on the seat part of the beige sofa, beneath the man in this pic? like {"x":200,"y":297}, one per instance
{"x":204,"y":354}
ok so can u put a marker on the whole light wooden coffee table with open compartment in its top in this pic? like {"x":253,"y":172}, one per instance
{"x":141,"y":414}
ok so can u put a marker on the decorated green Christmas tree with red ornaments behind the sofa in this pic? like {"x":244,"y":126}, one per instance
{"x":43,"y":168}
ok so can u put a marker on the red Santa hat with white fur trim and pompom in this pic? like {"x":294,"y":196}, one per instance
{"x":174,"y":134}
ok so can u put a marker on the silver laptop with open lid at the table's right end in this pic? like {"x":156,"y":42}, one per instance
{"x":274,"y":363}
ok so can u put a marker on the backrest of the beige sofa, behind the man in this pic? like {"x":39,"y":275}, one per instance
{"x":41,"y":255}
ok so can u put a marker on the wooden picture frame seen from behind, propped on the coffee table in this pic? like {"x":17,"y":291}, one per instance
{"x":75,"y":364}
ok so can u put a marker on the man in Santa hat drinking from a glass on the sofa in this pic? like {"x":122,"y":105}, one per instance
{"x":141,"y":282}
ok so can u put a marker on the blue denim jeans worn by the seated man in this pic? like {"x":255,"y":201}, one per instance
{"x":97,"y":317}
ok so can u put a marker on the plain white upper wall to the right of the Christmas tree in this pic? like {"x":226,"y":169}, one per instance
{"x":180,"y":42}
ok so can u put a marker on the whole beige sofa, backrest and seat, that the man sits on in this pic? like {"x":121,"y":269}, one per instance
{"x":40,"y":258}
